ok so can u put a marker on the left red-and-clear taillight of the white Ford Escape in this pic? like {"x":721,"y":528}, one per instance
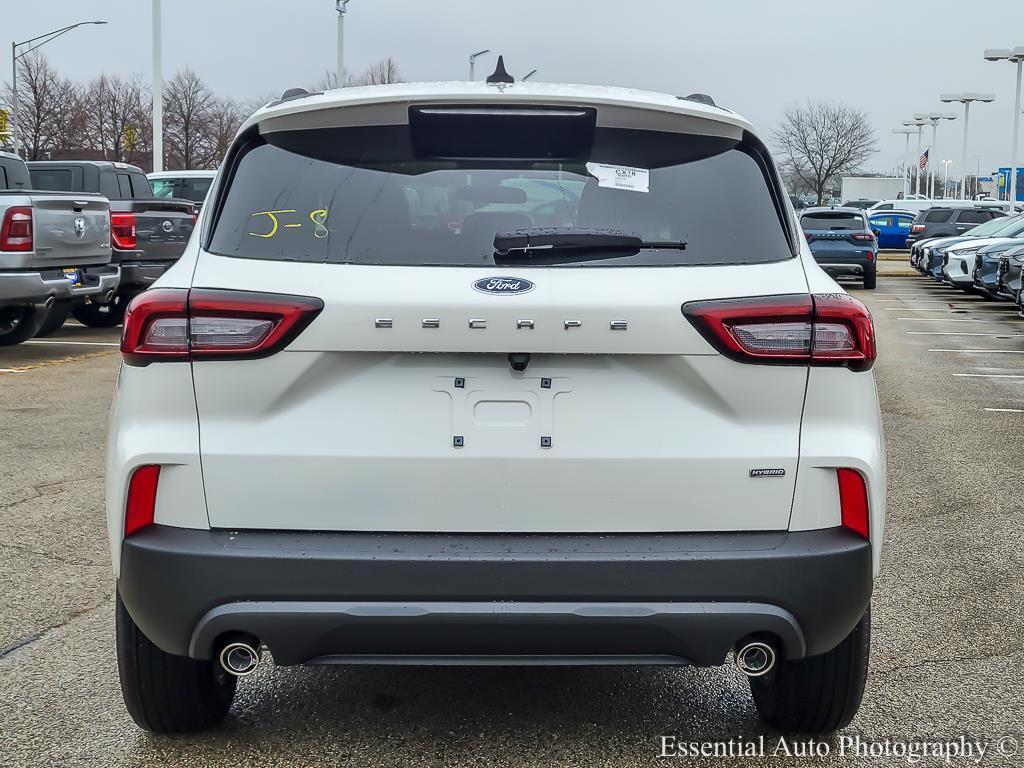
{"x":180,"y":325}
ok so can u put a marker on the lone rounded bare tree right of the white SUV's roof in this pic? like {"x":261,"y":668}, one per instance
{"x":823,"y":140}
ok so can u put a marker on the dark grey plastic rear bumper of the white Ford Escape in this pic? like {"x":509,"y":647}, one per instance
{"x":388,"y":599}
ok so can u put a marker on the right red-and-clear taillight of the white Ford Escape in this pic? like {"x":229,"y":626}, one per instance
{"x":820,"y":330}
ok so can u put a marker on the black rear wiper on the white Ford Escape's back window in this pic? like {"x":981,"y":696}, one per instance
{"x":542,"y":243}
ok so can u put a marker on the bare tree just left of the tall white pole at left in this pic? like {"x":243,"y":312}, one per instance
{"x":116,"y":111}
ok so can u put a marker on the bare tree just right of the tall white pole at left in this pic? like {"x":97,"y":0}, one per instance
{"x":189,"y":108}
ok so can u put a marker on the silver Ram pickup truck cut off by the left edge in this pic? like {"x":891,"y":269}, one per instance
{"x":55,"y":254}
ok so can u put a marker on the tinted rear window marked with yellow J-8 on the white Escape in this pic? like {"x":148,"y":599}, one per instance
{"x":375,"y":196}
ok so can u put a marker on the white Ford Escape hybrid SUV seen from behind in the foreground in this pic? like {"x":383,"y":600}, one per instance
{"x":496,"y":374}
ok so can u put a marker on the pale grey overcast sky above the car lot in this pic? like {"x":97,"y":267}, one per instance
{"x":755,"y":57}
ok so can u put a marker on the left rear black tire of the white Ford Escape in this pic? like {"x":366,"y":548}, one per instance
{"x":165,"y":694}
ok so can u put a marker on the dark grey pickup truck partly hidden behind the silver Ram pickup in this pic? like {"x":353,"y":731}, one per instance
{"x":148,"y":234}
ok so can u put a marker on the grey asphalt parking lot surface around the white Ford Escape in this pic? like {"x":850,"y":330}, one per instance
{"x":948,"y":634}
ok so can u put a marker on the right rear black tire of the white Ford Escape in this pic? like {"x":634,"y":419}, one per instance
{"x":818,"y":695}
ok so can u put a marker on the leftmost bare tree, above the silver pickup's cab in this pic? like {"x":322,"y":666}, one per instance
{"x":51,"y":121}
